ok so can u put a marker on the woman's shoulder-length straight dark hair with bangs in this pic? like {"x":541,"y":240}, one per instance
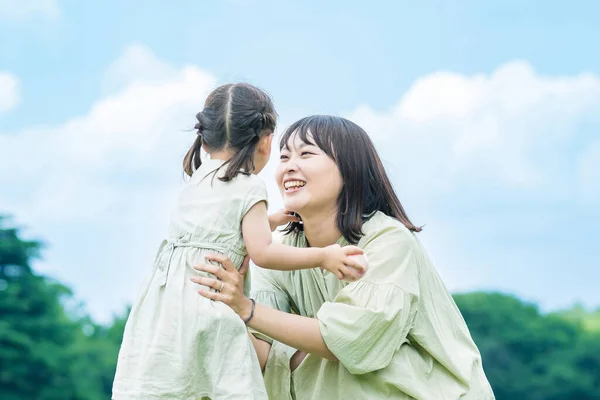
{"x":366,"y":186}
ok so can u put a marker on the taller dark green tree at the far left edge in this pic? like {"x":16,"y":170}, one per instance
{"x":35,"y":333}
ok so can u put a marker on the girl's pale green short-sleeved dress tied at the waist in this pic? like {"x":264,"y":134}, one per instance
{"x":178,"y":344}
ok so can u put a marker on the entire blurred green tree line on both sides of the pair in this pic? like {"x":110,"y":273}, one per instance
{"x":50,"y":350}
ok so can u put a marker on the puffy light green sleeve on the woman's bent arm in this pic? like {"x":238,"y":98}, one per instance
{"x":370,"y":319}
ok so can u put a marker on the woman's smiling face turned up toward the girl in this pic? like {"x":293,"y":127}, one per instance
{"x":309,"y":181}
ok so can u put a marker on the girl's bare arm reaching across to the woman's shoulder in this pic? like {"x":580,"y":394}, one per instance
{"x":265,"y":253}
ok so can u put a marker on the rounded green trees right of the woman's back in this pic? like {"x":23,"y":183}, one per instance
{"x":531,"y":356}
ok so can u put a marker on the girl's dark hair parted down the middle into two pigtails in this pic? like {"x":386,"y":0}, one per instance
{"x":235,"y":116}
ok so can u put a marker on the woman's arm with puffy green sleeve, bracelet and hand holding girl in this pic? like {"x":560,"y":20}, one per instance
{"x":368,"y":320}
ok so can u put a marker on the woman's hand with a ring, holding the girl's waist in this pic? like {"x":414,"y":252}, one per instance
{"x":229,"y":284}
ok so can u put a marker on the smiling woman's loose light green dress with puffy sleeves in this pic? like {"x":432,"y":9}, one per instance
{"x":396,"y":332}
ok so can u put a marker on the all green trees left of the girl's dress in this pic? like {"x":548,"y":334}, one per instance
{"x":47,"y":352}
